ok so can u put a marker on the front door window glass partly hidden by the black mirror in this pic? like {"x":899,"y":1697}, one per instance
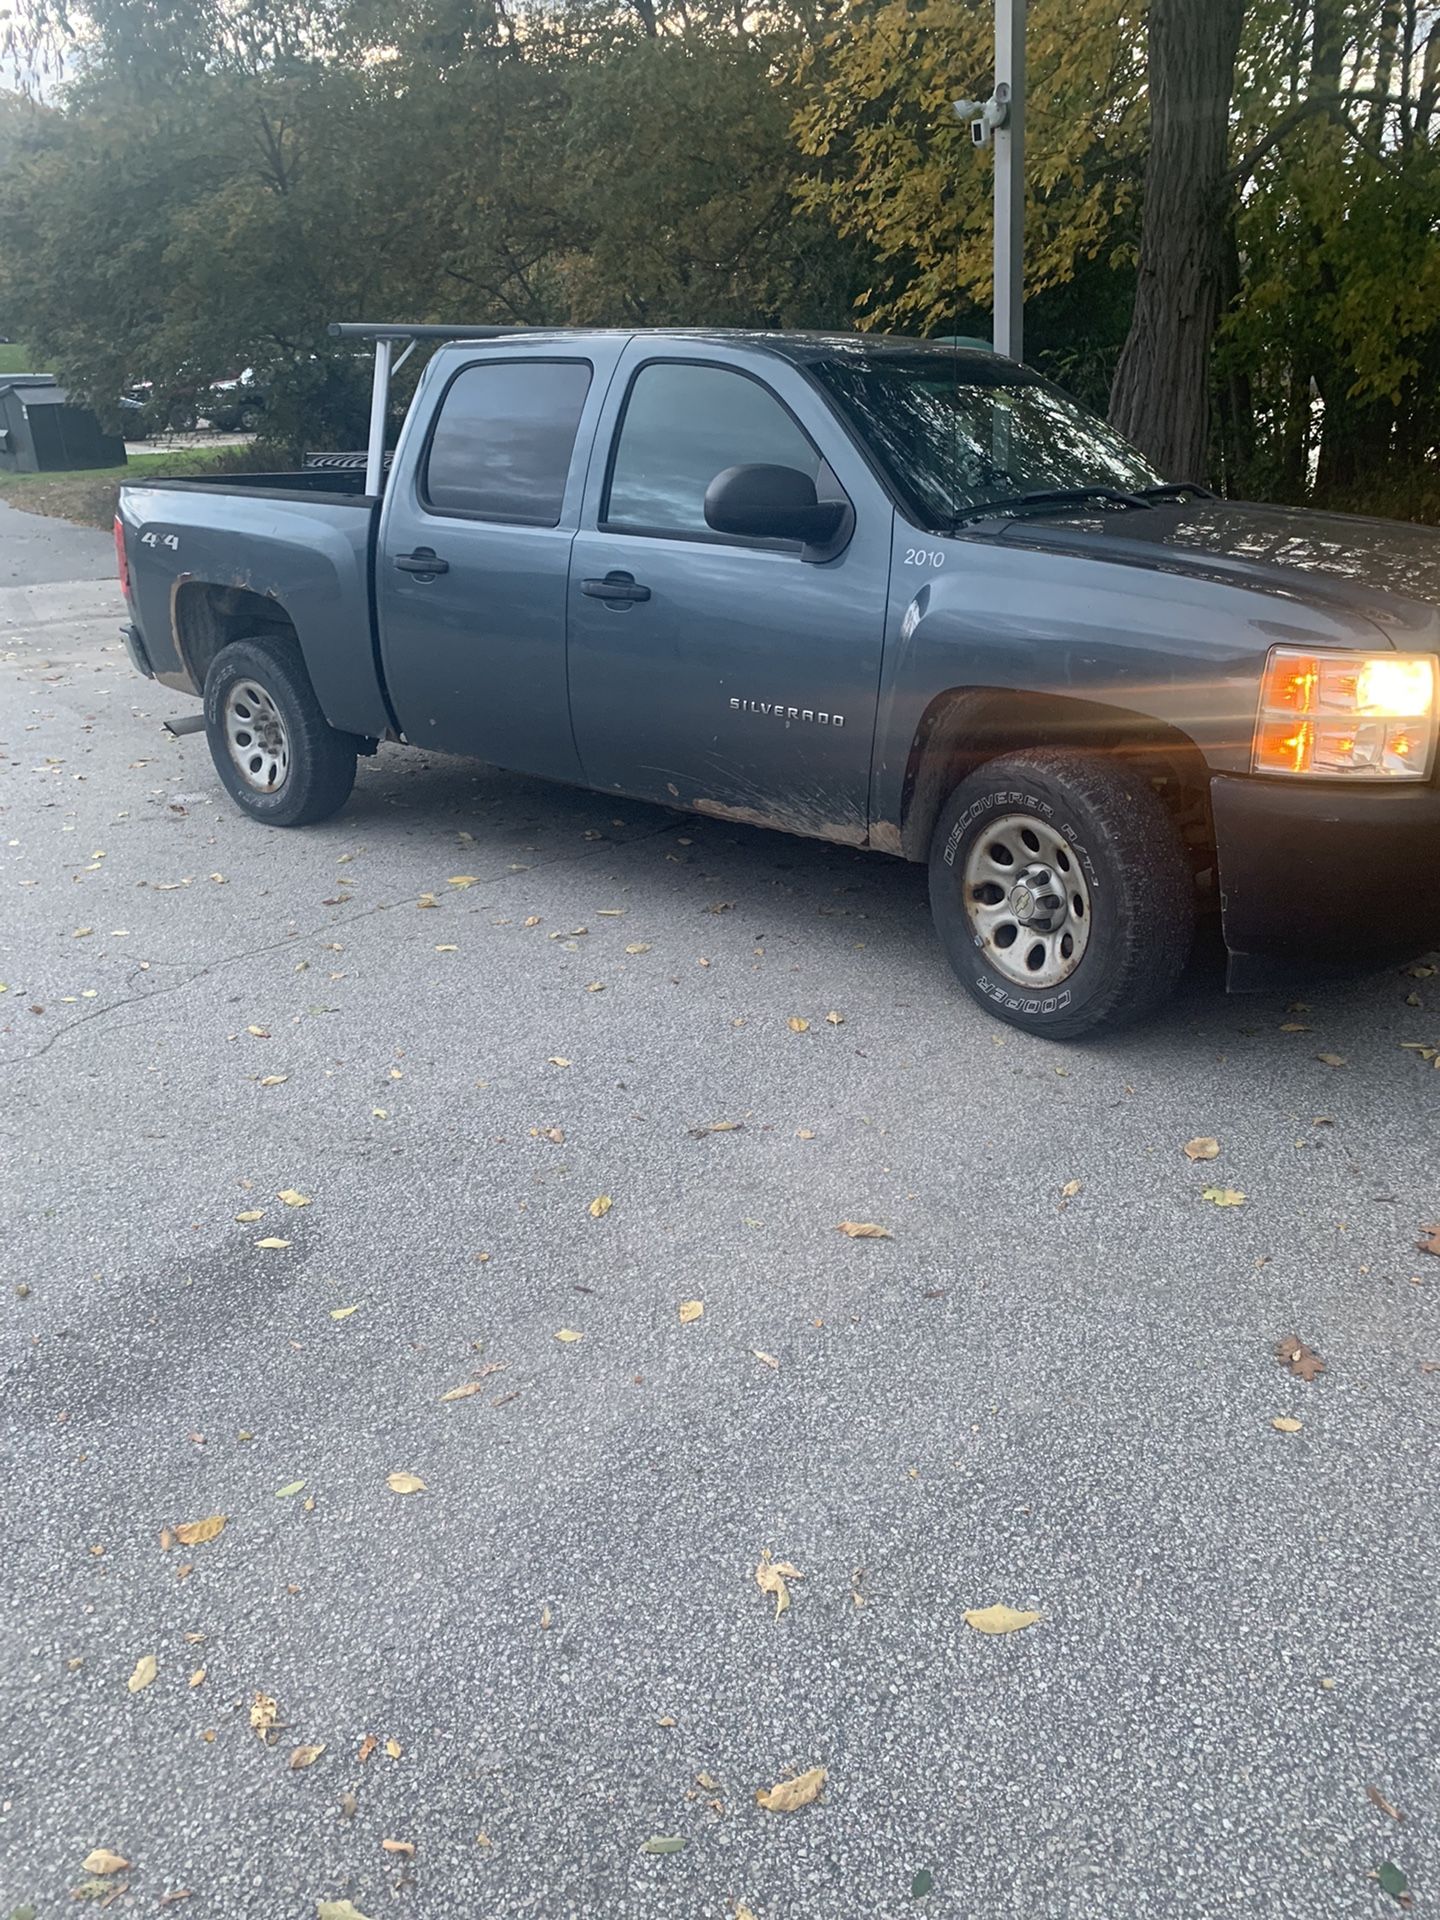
{"x":681,"y":429}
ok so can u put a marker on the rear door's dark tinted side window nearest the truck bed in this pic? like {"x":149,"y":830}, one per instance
{"x":504,"y":441}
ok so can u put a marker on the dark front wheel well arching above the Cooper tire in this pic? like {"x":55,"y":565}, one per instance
{"x":969,"y":727}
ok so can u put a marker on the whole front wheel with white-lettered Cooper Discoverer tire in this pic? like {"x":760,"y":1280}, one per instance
{"x":1097,"y":924}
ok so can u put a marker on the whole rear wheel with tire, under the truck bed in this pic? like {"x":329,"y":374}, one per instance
{"x":277,"y":756}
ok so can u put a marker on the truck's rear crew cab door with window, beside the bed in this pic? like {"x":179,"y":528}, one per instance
{"x":475,"y":552}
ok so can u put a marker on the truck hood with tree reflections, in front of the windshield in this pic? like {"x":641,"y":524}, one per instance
{"x":1383,"y":569}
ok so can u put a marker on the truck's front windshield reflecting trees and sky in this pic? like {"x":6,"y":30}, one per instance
{"x":955,"y":433}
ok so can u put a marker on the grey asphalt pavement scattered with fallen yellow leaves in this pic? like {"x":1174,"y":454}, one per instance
{"x":529,"y":1067}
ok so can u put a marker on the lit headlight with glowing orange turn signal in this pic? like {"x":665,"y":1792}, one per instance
{"x":1347,"y":715}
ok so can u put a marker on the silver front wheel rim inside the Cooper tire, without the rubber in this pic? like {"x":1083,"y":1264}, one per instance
{"x":1028,"y":901}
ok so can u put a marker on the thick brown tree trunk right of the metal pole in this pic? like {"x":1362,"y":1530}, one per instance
{"x":1161,"y":398}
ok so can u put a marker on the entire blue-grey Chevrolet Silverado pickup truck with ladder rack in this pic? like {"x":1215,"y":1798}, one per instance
{"x":869,"y":590}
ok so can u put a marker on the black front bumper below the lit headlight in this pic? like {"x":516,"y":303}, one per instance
{"x":1318,"y":878}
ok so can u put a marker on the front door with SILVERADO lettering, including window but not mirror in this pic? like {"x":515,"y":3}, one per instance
{"x":711,"y":671}
